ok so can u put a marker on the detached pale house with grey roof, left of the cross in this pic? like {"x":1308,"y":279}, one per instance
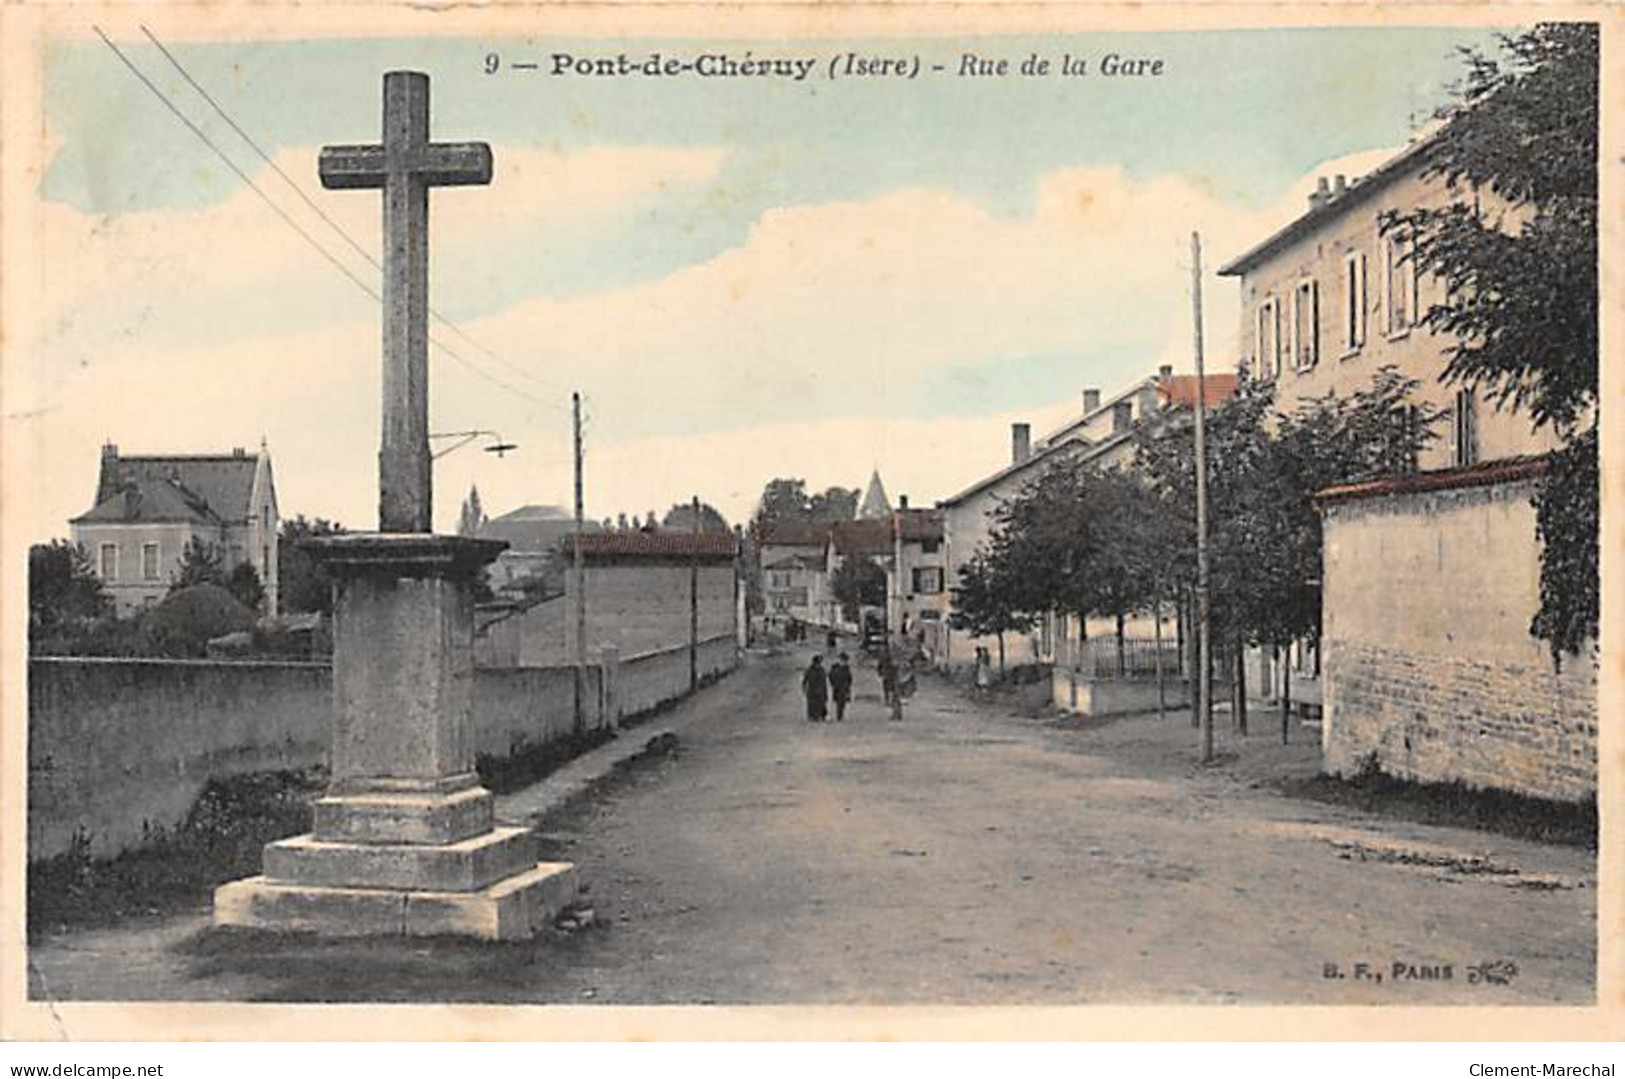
{"x":150,"y":508}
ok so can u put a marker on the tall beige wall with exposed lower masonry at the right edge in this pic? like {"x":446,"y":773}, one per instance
{"x":1429,"y":665}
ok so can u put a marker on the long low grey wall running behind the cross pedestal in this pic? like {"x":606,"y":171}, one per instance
{"x":121,"y":748}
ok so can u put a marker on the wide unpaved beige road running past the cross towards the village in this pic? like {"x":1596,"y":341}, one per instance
{"x":966,"y":856}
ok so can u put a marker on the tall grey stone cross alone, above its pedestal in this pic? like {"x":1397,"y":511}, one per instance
{"x":407,"y":165}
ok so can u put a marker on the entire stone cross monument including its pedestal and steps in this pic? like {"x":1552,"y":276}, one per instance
{"x":405,"y":839}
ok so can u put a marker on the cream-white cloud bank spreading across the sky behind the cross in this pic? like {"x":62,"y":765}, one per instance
{"x":823,"y":310}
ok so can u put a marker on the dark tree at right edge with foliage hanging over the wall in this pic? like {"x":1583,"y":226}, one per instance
{"x":1522,"y":279}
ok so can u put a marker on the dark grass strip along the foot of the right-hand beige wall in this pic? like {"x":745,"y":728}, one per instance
{"x":1457,"y":805}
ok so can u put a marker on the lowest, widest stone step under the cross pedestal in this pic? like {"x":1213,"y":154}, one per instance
{"x":513,"y":909}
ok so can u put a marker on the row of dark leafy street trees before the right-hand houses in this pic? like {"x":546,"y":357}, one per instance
{"x":1104,"y":542}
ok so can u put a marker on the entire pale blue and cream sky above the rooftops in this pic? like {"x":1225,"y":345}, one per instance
{"x":721,"y":210}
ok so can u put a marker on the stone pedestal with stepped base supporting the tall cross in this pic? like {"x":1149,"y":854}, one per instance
{"x":405,"y":841}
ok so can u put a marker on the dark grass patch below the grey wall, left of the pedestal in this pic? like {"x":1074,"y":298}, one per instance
{"x":220,"y":841}
